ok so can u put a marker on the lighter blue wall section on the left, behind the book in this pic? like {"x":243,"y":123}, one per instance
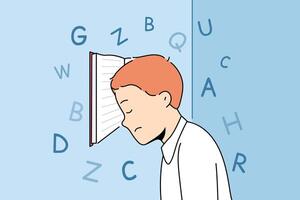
{"x":36,"y":103}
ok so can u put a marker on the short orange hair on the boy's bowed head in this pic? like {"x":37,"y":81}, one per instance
{"x":152,"y":74}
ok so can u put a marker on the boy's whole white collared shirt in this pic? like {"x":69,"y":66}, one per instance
{"x":192,"y":166}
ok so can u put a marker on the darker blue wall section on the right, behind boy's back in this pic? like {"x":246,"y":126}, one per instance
{"x":261,"y":84}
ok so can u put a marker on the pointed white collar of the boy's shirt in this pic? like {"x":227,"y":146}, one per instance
{"x":168,"y":148}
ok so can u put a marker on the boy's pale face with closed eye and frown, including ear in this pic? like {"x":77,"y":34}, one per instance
{"x":143,"y":113}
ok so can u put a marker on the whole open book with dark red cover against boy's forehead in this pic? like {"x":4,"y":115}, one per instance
{"x":105,"y":115}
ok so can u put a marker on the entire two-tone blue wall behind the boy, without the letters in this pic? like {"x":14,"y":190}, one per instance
{"x":260,"y":84}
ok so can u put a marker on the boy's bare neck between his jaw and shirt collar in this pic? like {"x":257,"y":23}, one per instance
{"x":173,"y":119}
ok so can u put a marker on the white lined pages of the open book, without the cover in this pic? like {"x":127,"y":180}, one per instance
{"x":108,"y":114}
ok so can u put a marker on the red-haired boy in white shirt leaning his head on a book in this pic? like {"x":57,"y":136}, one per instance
{"x":149,"y":90}
